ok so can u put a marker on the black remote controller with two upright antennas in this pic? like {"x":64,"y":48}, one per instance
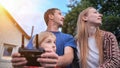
{"x":31,"y":55}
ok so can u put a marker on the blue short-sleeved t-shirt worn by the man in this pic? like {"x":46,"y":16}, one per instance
{"x":62,"y":40}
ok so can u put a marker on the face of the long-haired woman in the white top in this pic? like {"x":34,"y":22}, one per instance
{"x":94,"y":17}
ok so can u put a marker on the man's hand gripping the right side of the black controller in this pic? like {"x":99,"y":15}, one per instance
{"x":48,"y":59}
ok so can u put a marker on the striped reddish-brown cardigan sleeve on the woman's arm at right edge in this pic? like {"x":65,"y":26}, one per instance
{"x":111,"y":52}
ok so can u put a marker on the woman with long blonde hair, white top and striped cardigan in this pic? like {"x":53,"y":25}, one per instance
{"x":97,"y":48}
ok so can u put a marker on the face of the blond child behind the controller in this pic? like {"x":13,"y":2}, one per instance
{"x":49,"y":42}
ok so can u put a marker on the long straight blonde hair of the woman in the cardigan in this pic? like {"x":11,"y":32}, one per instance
{"x":82,"y":39}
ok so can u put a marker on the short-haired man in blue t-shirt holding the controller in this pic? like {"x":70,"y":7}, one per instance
{"x":65,"y":43}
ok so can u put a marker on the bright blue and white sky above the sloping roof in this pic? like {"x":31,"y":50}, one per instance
{"x":30,"y":13}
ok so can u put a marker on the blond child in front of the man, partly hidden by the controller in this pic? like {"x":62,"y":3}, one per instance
{"x":46,"y":40}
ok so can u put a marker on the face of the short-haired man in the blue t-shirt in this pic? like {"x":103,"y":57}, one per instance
{"x":58,"y":18}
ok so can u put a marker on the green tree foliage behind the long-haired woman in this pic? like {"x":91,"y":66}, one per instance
{"x":109,"y":8}
